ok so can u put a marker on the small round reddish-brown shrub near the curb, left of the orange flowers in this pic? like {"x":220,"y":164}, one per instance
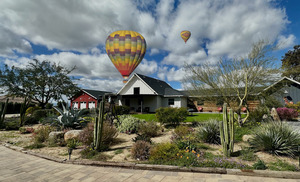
{"x":140,"y":150}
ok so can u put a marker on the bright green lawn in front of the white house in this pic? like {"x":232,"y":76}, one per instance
{"x":198,"y":117}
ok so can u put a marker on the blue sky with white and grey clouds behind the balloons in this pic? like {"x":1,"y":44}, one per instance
{"x":73,"y":33}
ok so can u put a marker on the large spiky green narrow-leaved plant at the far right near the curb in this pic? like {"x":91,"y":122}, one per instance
{"x":276,"y":138}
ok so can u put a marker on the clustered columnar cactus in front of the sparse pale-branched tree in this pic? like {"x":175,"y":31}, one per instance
{"x":227,"y":131}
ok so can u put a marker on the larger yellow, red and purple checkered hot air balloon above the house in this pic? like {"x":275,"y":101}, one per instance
{"x":126,"y":49}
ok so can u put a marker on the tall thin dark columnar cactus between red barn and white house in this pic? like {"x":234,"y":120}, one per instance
{"x":98,"y":127}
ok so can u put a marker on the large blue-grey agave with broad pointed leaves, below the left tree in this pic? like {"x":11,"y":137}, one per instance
{"x":69,"y":117}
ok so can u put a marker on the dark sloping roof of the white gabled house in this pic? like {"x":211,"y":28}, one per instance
{"x":159,"y":86}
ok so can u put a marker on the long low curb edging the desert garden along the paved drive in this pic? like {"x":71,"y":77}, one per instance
{"x":258,"y":173}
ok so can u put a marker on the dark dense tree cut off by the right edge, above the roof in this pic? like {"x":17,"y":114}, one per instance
{"x":291,"y":63}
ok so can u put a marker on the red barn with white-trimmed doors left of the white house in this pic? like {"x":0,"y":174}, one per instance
{"x":87,"y":99}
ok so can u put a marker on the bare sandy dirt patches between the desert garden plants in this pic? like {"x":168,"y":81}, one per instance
{"x":120,"y":151}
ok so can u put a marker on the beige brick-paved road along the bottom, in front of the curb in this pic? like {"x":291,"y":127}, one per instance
{"x":16,"y":166}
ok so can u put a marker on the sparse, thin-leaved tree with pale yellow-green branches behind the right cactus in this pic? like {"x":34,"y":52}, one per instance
{"x":233,"y":80}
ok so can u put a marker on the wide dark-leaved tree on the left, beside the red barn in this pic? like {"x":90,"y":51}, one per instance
{"x":40,"y":81}
